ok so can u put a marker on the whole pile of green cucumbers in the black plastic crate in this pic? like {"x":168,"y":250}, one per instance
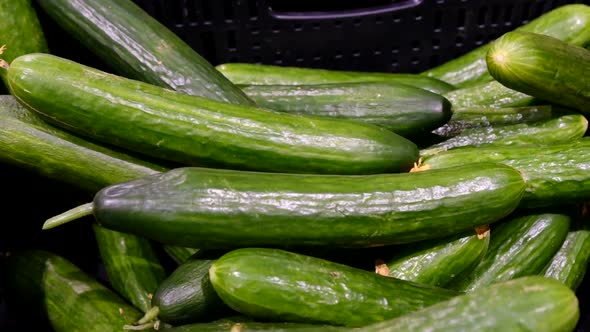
{"x":299,"y":199}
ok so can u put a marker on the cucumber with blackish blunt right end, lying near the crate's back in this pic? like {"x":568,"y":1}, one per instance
{"x":403,"y":109}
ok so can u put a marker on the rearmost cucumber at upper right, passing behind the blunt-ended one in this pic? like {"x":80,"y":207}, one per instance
{"x":570,"y":23}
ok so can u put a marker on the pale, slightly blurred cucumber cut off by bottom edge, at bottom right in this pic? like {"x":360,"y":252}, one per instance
{"x":531,"y":303}
